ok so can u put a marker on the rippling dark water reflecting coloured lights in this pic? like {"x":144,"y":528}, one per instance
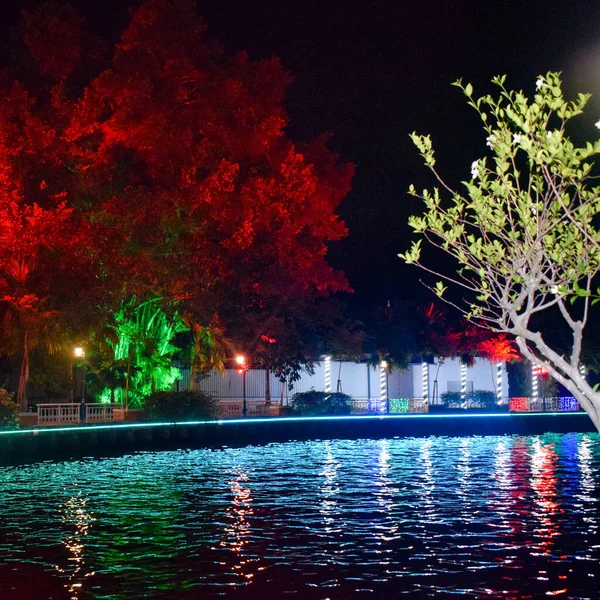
{"x":492,"y":517}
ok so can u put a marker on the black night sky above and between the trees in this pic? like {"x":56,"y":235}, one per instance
{"x":371,"y":71}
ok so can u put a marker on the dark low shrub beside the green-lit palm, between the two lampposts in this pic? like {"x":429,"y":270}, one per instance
{"x":180,"y":406}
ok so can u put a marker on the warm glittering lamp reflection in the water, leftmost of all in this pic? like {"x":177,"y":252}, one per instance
{"x":75,"y":514}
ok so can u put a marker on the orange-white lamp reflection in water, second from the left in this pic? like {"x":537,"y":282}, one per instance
{"x":238,"y":530}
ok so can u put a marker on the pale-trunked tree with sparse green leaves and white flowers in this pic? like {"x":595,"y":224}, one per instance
{"x":524,"y":230}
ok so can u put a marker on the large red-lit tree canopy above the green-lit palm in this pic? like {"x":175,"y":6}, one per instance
{"x":166,"y":172}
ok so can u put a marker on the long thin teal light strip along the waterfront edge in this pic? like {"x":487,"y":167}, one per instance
{"x":250,"y":420}
